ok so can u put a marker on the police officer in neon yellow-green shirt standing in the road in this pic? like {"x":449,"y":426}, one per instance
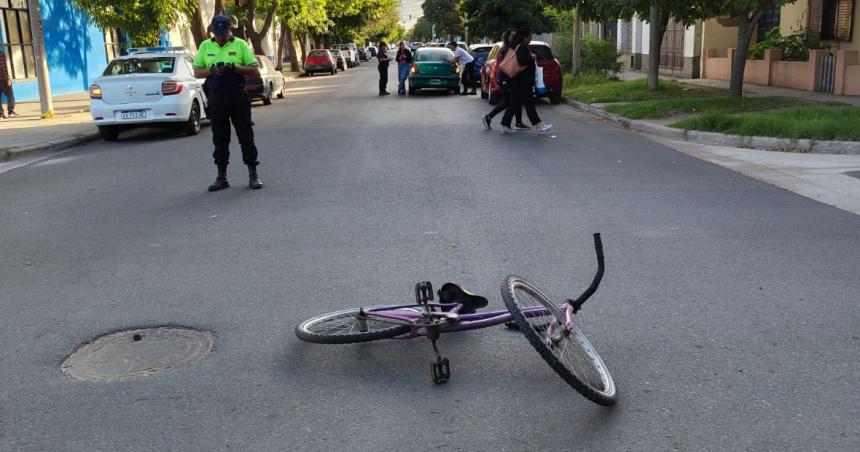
{"x":224,"y":61}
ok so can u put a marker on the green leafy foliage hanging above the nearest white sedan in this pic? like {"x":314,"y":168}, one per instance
{"x":143,"y":20}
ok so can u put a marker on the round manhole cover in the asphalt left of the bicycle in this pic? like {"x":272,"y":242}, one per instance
{"x":138,"y":353}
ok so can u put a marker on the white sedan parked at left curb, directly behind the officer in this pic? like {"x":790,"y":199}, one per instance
{"x":148,"y":87}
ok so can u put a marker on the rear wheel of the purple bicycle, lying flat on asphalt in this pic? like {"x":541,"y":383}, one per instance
{"x":309,"y":330}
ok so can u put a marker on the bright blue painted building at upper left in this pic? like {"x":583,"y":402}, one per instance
{"x":77,"y":51}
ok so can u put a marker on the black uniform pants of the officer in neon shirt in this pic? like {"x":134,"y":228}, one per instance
{"x":226,"y":107}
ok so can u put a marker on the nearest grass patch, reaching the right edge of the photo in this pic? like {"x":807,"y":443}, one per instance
{"x":813,"y":122}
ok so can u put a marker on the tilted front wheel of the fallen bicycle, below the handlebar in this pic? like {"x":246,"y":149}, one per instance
{"x":572,"y":356}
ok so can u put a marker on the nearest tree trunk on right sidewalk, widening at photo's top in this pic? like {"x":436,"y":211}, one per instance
{"x":747,"y":14}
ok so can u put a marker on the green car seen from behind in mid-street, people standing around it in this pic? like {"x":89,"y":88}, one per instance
{"x":432,"y":68}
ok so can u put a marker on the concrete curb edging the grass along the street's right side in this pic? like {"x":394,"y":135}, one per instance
{"x":722,"y":139}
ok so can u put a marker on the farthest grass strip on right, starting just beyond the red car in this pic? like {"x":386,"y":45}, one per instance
{"x":598,"y":89}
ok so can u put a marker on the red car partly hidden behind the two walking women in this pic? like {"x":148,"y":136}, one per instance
{"x":552,"y":76}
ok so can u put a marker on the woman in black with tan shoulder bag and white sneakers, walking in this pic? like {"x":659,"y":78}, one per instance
{"x":522,"y":86}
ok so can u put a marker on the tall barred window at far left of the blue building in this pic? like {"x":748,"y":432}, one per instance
{"x":18,"y":43}
